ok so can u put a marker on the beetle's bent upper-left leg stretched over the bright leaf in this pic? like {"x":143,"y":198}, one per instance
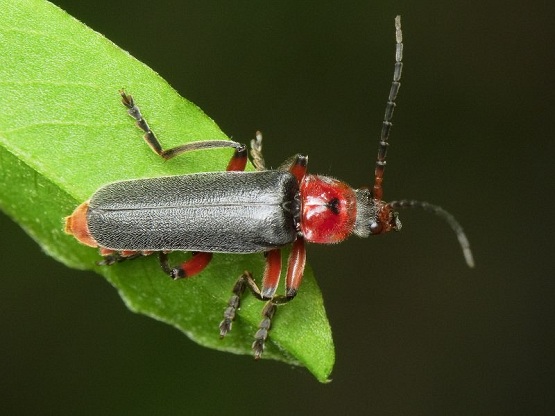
{"x":155,"y":145}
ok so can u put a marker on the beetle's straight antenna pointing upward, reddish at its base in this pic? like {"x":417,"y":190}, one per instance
{"x":390,"y":106}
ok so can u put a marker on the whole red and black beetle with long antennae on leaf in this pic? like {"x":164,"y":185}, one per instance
{"x":241,"y":212}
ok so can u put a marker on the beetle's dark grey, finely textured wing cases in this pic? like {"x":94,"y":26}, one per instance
{"x":230,"y":212}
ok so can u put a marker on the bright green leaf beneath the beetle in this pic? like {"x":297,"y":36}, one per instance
{"x":64,"y":133}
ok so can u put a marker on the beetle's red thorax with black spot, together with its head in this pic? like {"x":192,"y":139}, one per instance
{"x":331,"y":210}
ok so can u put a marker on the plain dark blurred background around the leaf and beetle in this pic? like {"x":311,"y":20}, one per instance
{"x":416,"y":331}
